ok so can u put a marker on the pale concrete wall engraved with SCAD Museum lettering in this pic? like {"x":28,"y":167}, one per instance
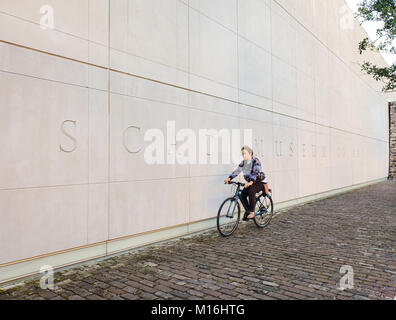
{"x":287,"y":69}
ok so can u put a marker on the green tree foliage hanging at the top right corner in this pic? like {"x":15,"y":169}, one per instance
{"x":383,"y":11}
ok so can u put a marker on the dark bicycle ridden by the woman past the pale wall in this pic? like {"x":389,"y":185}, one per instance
{"x":263,"y":212}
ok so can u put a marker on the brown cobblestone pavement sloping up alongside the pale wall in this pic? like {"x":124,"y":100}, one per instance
{"x":298,"y":256}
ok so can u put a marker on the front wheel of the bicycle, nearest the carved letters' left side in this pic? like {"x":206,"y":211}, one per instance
{"x":228,"y":217}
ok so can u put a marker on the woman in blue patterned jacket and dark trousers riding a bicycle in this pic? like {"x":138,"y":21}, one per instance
{"x":256,"y":180}
